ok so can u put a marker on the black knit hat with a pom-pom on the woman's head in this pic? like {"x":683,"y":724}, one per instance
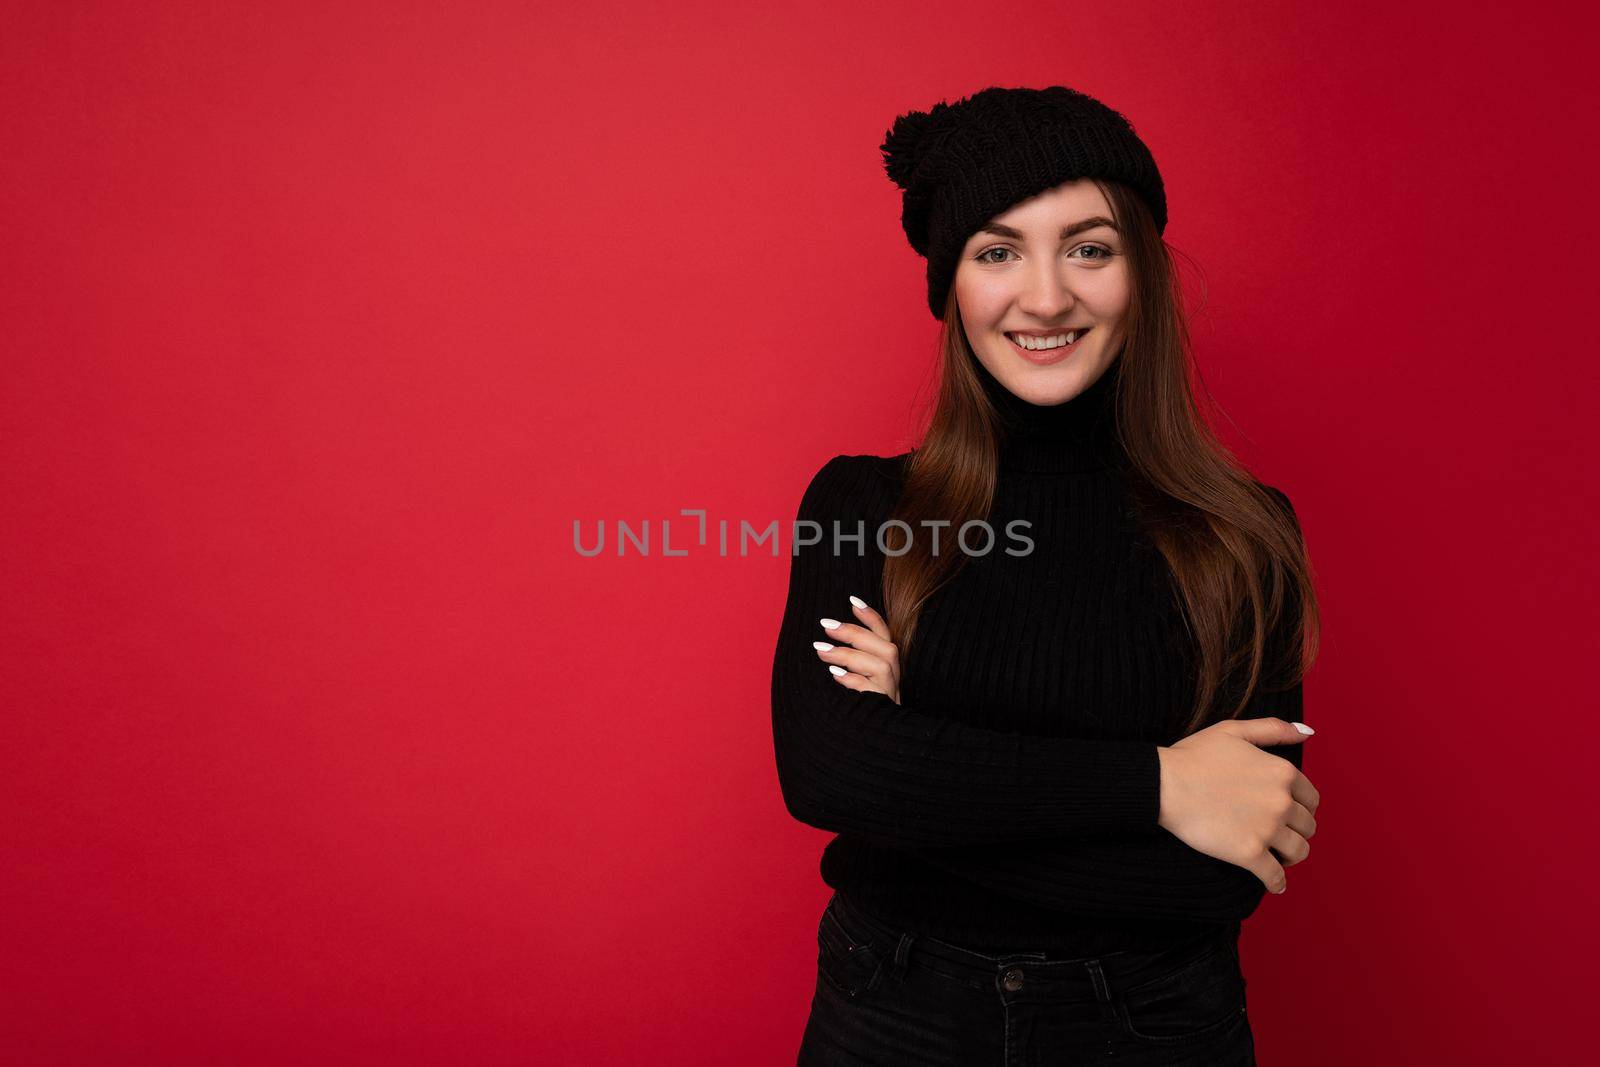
{"x":964,"y":164}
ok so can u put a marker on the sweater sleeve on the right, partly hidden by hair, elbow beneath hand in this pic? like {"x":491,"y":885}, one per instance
{"x":1142,"y":876}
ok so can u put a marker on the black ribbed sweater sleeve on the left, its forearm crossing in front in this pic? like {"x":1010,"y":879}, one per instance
{"x":862,"y":764}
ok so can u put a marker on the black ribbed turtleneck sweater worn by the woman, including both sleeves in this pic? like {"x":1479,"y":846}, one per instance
{"x":1010,"y":801}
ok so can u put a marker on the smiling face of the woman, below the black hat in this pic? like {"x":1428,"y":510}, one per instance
{"x":1039,"y":271}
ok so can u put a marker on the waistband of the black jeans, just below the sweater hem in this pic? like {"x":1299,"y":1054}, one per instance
{"x":1084,"y":978}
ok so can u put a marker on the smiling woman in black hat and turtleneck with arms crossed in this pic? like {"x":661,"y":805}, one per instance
{"x":1041,"y":674}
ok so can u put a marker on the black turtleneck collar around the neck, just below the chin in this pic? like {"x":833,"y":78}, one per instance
{"x":1078,"y":436}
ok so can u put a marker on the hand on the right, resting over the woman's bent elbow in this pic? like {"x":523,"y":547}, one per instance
{"x":1225,"y":797}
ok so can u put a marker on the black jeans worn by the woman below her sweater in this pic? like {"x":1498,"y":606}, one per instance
{"x":897,"y":999}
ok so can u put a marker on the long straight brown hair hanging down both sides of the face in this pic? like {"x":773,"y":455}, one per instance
{"x":1226,"y":538}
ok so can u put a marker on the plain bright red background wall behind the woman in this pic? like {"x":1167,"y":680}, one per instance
{"x":322,"y":326}
